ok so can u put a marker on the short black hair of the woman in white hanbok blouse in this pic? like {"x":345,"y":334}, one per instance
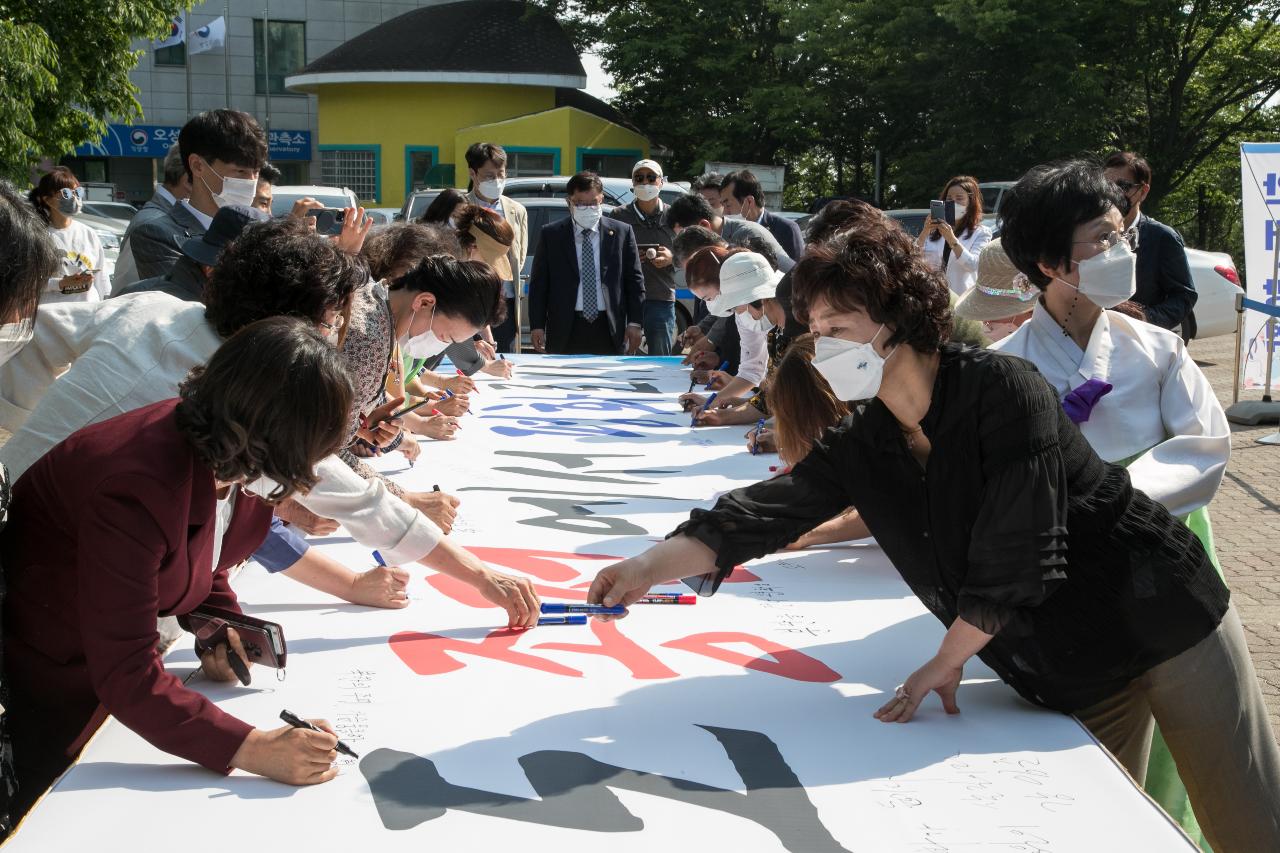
{"x":1040,"y":215}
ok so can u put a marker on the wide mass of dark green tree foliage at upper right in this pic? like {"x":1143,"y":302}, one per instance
{"x":940,"y":88}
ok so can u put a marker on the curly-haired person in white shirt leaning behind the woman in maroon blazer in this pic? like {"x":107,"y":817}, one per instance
{"x":135,"y":352}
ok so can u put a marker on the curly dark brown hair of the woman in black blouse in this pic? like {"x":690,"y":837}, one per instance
{"x":877,"y":268}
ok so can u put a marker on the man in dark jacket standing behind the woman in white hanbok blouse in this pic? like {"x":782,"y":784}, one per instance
{"x":1165,"y":289}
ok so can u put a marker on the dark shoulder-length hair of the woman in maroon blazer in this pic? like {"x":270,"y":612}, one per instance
{"x":273,"y":403}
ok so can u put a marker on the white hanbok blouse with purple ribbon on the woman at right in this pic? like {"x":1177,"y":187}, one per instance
{"x":1162,"y":407}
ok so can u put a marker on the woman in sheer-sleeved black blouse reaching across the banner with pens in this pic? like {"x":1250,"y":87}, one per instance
{"x":1080,"y":592}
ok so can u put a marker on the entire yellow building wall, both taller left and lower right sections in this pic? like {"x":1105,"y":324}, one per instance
{"x":452,"y":117}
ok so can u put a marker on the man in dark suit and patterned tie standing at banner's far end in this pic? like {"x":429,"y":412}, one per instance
{"x":587,"y":290}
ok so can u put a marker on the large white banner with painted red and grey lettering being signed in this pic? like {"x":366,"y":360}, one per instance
{"x":742,"y":723}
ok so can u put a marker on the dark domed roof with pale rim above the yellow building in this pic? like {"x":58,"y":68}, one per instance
{"x":469,"y":42}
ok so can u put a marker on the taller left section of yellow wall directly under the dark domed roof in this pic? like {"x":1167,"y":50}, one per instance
{"x":395,"y":116}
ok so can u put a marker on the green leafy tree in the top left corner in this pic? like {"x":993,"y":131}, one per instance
{"x":65,"y":71}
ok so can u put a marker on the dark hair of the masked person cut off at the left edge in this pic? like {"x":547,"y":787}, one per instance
{"x":28,"y":258}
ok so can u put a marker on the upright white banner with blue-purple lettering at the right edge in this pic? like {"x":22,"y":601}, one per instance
{"x":1260,"y":191}
